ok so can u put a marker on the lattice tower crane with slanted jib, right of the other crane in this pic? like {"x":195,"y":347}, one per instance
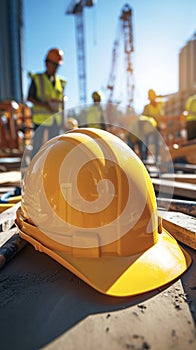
{"x":126,"y":31}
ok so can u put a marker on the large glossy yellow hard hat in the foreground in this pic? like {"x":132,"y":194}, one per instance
{"x":95,"y":213}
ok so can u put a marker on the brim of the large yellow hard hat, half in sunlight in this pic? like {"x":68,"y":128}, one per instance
{"x":126,"y":276}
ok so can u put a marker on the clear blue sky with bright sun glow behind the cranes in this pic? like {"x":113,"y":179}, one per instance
{"x":160,"y":29}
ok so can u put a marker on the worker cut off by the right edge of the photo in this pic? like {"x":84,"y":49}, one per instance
{"x":190,"y":113}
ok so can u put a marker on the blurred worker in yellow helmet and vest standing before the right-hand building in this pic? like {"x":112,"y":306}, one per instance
{"x":153,"y":110}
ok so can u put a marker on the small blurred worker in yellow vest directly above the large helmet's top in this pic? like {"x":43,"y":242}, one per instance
{"x":95,"y":117}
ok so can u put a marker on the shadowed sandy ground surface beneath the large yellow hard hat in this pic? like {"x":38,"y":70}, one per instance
{"x":44,"y":306}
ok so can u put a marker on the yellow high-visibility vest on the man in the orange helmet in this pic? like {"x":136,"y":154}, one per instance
{"x":45,"y":92}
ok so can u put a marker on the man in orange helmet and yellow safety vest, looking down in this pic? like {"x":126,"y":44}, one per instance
{"x":46,"y":93}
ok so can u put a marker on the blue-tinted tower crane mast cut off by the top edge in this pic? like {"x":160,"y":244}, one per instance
{"x":76,"y":8}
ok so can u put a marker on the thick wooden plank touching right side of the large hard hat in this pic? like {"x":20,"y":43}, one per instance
{"x":181,"y":226}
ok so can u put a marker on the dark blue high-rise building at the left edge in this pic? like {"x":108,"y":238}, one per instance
{"x":11,"y":50}
